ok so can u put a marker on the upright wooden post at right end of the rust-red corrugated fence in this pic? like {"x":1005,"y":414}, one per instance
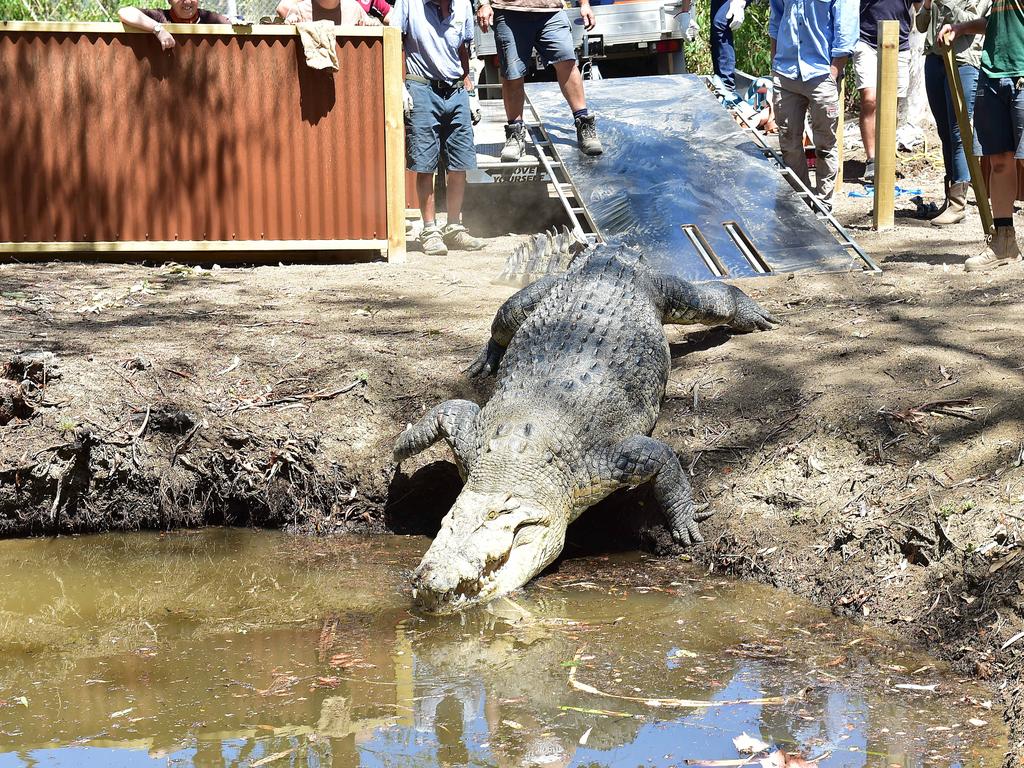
{"x":395,"y":146}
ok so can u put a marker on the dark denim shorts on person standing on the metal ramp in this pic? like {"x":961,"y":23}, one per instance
{"x":519,"y":32}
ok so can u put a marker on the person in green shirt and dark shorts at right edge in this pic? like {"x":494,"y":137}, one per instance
{"x":999,"y":120}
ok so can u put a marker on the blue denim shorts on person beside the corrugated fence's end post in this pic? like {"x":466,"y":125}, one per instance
{"x":439,"y":120}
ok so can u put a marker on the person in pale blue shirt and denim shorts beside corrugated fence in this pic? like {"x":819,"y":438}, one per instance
{"x":438,"y":36}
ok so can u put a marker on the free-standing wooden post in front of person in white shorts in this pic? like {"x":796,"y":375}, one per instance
{"x":883,"y":217}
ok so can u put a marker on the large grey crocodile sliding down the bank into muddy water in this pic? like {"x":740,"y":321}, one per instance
{"x":582,"y":364}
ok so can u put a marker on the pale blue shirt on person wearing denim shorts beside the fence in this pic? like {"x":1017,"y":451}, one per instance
{"x":433,"y":42}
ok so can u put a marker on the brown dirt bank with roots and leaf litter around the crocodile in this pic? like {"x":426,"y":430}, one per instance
{"x":868,"y":454}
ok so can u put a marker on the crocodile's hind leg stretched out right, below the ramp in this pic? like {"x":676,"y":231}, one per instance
{"x":712,"y":305}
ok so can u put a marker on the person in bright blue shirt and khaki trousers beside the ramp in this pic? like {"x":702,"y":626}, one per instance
{"x":812,"y":41}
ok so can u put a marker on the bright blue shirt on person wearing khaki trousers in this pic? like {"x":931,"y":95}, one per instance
{"x":809,"y":34}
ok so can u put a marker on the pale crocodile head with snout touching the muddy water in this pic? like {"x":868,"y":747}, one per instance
{"x":489,"y":545}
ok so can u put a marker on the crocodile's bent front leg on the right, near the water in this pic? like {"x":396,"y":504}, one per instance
{"x":639,"y":460}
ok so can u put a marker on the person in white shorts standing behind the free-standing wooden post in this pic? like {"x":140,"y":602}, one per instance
{"x":866,"y":64}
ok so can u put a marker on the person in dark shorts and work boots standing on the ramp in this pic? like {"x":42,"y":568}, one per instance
{"x":522,"y":26}
